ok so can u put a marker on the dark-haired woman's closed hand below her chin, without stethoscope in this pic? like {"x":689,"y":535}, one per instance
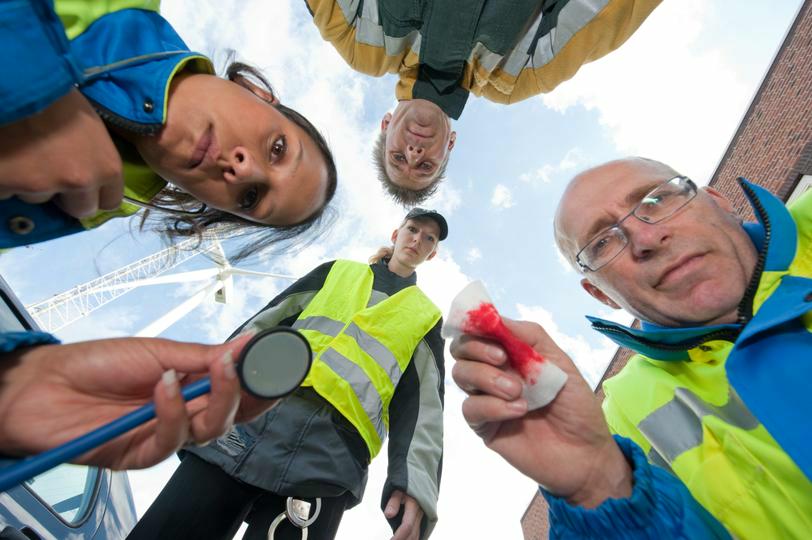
{"x":65,"y":152}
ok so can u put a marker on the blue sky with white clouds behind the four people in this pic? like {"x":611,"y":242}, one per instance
{"x":676,"y":92}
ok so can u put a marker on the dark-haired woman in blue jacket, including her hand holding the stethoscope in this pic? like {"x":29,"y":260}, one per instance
{"x":118,"y":111}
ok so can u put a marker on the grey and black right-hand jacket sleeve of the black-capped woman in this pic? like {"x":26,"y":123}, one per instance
{"x":416,"y":431}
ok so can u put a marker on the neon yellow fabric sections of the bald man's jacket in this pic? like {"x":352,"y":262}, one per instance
{"x":741,"y":476}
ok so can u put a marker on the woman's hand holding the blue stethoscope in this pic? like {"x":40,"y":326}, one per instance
{"x":50,"y":394}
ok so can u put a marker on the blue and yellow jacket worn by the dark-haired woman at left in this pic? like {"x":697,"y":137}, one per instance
{"x":121,"y":58}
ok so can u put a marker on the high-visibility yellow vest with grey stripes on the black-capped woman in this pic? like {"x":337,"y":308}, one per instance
{"x":362,"y":343}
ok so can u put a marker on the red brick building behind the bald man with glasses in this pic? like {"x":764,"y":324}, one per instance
{"x":772,"y":147}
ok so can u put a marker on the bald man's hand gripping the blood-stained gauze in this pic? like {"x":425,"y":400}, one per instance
{"x":565,"y":446}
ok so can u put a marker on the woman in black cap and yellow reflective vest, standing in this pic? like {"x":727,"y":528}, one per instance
{"x":378,"y":371}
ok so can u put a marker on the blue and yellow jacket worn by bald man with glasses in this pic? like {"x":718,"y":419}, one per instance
{"x":724,"y":408}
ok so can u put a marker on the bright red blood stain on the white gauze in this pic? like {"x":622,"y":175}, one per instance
{"x":486,"y":322}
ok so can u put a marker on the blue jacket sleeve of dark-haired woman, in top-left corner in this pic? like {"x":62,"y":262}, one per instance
{"x":38,"y":68}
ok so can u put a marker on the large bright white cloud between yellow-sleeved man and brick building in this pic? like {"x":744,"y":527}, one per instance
{"x":661,"y":95}
